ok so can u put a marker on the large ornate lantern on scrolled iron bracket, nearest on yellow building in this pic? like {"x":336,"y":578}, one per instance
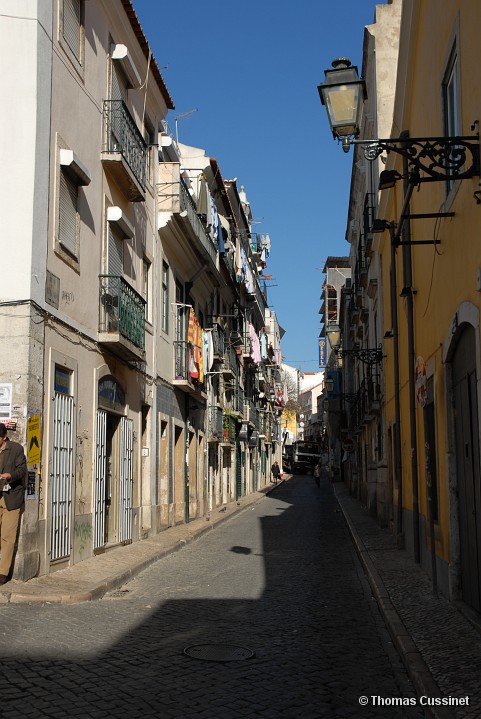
{"x":428,"y":158}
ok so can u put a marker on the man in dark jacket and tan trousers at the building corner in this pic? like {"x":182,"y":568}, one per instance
{"x":13,"y":480}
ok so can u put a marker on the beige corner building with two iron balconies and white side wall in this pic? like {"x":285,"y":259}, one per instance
{"x":77,"y":301}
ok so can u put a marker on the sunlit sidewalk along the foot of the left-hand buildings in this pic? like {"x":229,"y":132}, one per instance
{"x":96,"y":576}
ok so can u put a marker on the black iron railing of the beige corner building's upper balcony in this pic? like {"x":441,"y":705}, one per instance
{"x":123,"y":136}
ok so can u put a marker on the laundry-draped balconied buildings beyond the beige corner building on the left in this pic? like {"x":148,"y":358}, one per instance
{"x":220,"y":387}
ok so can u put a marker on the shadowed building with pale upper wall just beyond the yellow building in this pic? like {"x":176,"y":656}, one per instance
{"x":362,"y":402}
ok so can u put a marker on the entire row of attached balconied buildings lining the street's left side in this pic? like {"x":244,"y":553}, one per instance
{"x":132,"y":304}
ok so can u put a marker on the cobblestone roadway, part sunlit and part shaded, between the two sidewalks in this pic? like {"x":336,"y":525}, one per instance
{"x":281,"y":578}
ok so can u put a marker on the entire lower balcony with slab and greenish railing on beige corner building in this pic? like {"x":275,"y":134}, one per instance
{"x":121,"y":318}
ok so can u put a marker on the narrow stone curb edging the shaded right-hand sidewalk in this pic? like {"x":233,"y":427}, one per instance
{"x":412,"y":659}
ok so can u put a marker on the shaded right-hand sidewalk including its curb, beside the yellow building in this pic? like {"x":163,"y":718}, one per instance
{"x":440,"y":647}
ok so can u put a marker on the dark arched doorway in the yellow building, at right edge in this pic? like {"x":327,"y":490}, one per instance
{"x":466,"y":425}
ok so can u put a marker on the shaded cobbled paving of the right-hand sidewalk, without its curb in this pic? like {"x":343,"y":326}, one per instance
{"x":447,"y":643}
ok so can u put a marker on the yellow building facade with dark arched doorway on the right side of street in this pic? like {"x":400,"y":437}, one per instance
{"x":432,"y":406}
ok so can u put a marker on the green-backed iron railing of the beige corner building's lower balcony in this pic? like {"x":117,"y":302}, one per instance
{"x":121,"y":310}
